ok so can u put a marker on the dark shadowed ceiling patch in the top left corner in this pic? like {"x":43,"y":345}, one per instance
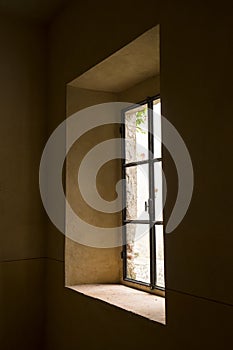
{"x":40,"y":10}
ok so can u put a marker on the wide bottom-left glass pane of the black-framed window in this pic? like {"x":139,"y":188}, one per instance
{"x":138,"y":252}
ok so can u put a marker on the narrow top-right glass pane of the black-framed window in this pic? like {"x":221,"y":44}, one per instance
{"x":157,"y":128}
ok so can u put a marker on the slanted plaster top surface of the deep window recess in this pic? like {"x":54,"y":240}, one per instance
{"x":134,"y":63}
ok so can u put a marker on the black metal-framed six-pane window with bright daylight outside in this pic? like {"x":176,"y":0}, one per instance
{"x":143,"y":249}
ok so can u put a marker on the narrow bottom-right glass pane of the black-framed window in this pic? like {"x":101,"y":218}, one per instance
{"x":159,"y":256}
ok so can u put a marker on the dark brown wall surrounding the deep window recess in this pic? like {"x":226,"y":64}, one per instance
{"x":196,"y":78}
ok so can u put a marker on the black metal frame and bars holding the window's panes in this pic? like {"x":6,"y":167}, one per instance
{"x":152,"y":222}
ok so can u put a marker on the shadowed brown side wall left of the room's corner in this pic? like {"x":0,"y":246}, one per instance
{"x":22,"y":136}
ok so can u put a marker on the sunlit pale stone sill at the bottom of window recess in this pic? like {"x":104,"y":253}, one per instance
{"x":138,"y":302}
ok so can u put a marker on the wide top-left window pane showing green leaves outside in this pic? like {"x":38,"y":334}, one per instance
{"x":136,"y":134}
